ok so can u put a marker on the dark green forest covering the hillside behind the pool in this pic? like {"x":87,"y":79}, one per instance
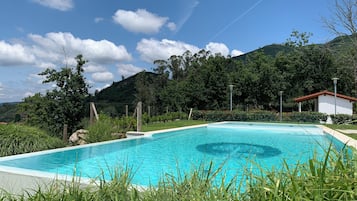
{"x":201,"y":80}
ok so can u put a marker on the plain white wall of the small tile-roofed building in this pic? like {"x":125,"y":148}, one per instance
{"x":327,"y":105}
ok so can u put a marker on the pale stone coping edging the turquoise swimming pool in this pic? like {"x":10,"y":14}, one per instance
{"x":18,"y":180}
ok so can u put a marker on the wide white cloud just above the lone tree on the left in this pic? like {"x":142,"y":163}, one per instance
{"x":55,"y":46}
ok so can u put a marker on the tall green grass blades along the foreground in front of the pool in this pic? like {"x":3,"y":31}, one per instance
{"x":332,"y":178}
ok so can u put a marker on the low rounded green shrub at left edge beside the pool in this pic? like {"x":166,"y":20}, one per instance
{"x":18,"y":139}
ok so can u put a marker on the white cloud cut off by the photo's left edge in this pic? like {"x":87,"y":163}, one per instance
{"x":14,"y":54}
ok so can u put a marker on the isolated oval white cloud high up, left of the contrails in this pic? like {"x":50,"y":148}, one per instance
{"x":140,"y":21}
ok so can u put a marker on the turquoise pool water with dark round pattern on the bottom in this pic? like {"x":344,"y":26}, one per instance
{"x":234,"y":144}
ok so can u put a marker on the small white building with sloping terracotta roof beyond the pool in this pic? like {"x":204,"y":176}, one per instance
{"x":325,"y":101}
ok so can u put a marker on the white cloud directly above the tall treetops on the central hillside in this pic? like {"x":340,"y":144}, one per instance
{"x":151,"y":49}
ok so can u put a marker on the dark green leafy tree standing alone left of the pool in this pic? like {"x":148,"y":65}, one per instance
{"x":63,"y":105}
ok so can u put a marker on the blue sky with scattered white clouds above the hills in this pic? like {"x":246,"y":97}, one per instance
{"x":120,"y":38}
